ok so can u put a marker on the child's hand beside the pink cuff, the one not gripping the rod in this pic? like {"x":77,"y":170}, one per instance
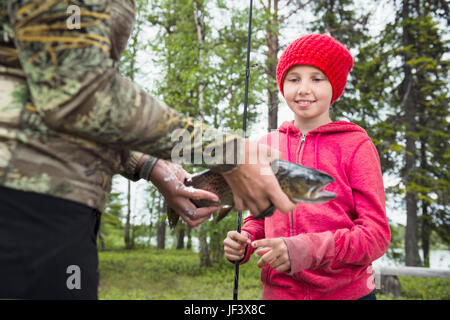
{"x":275,"y":253}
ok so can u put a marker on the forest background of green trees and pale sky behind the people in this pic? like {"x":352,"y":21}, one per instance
{"x":191,"y":54}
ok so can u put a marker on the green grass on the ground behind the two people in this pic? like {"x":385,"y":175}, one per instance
{"x":151,"y":274}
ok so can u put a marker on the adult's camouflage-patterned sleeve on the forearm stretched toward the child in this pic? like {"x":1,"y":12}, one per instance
{"x":77,"y":89}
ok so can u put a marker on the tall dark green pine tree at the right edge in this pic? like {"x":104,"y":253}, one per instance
{"x":413,"y":73}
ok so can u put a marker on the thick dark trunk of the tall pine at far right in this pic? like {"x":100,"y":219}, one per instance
{"x":412,"y":257}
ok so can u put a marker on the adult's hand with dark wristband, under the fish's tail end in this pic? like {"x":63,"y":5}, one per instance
{"x":169,"y":179}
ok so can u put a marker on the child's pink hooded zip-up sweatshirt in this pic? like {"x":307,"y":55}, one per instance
{"x":331,"y":245}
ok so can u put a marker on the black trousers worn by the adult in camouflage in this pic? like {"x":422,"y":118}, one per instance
{"x":47,"y":247}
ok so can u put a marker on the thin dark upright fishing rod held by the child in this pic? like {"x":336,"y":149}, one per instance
{"x":244,"y":133}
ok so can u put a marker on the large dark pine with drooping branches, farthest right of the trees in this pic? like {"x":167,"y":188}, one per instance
{"x":422,"y":96}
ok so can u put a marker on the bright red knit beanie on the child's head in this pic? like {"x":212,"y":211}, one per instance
{"x":323,"y":52}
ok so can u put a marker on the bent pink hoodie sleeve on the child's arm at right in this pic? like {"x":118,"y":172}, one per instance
{"x":367,"y":240}
